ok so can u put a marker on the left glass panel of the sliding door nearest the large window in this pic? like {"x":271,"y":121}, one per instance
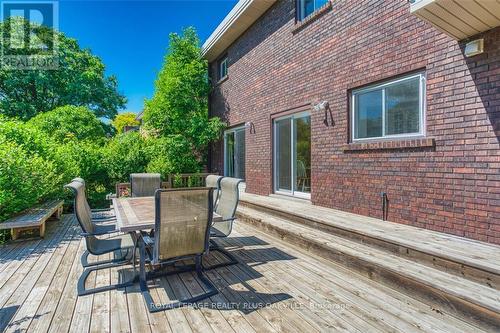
{"x":283,"y":155}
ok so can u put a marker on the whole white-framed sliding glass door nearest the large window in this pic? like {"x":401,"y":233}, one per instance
{"x":292,"y":155}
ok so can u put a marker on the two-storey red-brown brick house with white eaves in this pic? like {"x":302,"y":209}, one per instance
{"x":341,"y":101}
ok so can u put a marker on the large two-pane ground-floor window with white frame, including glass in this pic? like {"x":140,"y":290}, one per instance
{"x":391,"y":109}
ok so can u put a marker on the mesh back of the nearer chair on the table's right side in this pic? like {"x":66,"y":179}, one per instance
{"x":227,"y":204}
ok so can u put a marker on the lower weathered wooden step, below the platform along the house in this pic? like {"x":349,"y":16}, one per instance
{"x":445,"y":292}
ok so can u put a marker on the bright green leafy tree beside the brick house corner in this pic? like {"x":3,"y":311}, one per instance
{"x":179,"y":106}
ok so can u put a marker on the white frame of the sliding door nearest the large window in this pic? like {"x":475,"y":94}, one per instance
{"x":291,"y":192}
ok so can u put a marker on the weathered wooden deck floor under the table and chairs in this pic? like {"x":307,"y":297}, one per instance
{"x":275,"y":288}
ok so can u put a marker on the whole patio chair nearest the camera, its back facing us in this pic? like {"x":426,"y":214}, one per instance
{"x":182,"y":228}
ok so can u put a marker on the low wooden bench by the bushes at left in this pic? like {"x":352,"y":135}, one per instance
{"x":33,"y":218}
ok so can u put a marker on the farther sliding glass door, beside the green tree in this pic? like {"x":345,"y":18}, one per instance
{"x":234,"y":153}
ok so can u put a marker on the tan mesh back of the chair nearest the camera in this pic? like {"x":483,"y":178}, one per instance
{"x":182,"y":222}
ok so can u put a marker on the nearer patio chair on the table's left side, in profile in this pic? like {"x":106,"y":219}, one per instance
{"x":96,"y":246}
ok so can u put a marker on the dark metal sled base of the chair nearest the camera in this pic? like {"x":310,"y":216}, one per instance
{"x":152,"y":307}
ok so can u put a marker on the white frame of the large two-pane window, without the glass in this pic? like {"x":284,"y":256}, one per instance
{"x":422,"y":108}
